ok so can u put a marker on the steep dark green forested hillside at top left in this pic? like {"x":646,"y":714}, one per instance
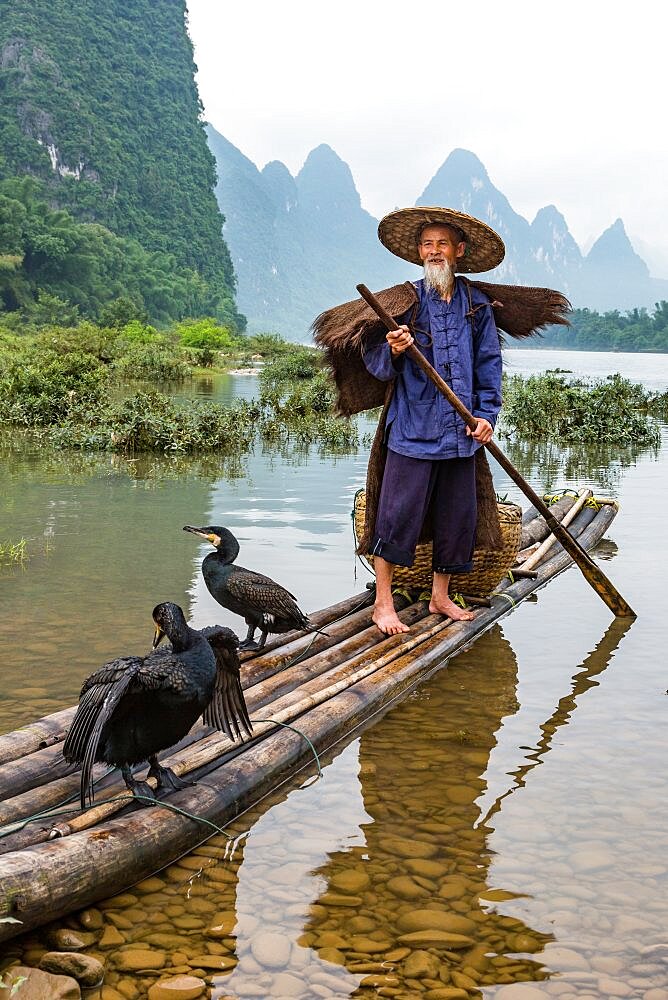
{"x":99,"y":108}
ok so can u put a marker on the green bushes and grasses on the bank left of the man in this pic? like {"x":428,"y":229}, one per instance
{"x":73,"y":388}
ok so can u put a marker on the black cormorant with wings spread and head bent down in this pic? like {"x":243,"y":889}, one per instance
{"x":134,"y":707}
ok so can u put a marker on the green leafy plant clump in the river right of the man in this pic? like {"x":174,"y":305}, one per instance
{"x":549,"y":406}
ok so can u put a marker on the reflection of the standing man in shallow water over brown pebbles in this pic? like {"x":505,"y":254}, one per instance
{"x":421,"y":771}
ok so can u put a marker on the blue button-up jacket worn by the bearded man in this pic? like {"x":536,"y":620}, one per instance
{"x":420,"y":422}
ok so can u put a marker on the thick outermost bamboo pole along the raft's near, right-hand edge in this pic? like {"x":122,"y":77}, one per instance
{"x":54,"y":878}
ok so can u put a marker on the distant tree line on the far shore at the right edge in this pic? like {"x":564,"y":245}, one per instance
{"x":636,"y":330}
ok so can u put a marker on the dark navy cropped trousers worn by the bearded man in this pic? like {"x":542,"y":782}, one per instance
{"x":409,"y":484}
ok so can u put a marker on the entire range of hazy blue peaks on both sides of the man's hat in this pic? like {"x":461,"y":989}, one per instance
{"x":300,"y":244}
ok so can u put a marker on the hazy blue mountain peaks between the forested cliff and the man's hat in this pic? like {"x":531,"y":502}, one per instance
{"x":299,"y":244}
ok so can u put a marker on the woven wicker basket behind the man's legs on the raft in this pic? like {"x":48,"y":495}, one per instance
{"x":489,"y":565}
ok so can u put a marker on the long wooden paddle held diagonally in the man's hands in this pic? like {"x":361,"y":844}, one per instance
{"x":592,"y":573}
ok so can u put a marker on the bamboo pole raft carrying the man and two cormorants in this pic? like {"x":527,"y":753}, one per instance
{"x":325,"y":685}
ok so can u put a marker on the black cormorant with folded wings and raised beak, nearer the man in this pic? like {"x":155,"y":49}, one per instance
{"x":260,"y":600}
